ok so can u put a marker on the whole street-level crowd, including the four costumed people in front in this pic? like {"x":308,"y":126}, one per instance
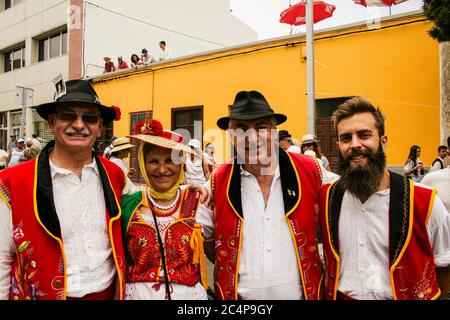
{"x":75,"y":229}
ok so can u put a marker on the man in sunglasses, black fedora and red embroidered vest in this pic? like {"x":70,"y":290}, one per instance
{"x":60,"y":235}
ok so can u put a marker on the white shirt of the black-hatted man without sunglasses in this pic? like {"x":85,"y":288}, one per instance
{"x":268,"y":266}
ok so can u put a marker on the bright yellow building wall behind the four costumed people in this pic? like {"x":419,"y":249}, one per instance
{"x":396,"y":67}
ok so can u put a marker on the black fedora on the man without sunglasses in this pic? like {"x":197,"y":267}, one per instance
{"x":250,"y":105}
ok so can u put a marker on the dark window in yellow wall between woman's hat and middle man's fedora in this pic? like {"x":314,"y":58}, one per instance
{"x":189,"y":119}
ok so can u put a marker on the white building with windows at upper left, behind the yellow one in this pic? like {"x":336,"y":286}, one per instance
{"x":40,"y":39}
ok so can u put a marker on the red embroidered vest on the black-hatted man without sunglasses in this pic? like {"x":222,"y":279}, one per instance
{"x":300,"y":179}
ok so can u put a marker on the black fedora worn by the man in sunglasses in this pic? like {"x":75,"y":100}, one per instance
{"x":80,"y":91}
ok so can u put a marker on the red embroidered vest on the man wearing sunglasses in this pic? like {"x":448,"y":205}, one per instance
{"x":39,"y":268}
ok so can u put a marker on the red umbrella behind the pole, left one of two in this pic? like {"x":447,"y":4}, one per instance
{"x":296,"y":14}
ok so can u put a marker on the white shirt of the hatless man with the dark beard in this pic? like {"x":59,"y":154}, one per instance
{"x":364,"y":244}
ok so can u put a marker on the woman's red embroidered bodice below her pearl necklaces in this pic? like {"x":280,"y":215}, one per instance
{"x":144,"y":256}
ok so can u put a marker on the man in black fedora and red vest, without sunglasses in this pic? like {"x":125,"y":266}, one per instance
{"x":265,"y":220}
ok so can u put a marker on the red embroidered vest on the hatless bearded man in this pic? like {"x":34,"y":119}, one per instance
{"x":411,"y":262}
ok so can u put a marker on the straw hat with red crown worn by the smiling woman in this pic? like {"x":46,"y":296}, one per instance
{"x":151,"y":131}
